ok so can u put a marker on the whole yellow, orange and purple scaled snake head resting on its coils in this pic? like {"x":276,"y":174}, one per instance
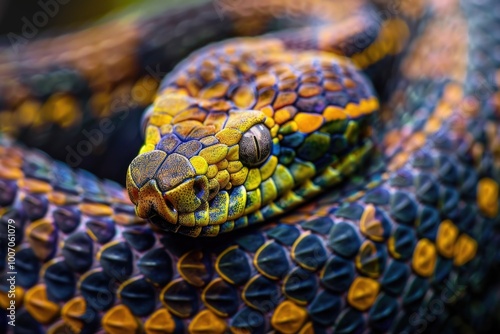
{"x":243,"y":132}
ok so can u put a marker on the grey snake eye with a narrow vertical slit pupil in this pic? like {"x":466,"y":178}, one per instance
{"x":255,"y":145}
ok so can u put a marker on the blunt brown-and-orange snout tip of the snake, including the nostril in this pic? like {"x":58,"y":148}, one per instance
{"x":166,"y":185}
